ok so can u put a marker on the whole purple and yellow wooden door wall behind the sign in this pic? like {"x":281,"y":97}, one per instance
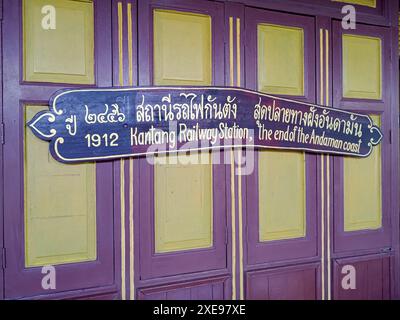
{"x":128,"y":229}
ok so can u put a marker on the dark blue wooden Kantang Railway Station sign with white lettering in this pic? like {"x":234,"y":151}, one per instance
{"x":102,"y":124}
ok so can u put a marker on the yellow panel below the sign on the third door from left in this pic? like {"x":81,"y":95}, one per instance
{"x":281,"y":187}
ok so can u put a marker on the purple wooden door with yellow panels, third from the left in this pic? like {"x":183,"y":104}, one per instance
{"x":281,"y":195}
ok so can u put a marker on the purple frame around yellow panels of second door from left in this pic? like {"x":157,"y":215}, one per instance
{"x":144,"y":171}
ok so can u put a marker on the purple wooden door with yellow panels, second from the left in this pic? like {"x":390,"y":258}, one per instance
{"x":182,"y":206}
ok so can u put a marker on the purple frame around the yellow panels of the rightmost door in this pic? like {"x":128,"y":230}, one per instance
{"x":357,"y":241}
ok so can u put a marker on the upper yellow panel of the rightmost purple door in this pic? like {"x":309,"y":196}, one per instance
{"x":362,"y":53}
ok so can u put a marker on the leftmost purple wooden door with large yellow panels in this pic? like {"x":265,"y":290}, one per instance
{"x":55,"y":214}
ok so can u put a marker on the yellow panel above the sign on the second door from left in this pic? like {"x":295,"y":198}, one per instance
{"x":182,"y":48}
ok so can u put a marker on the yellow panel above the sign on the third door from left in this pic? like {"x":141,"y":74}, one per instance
{"x":280,"y":59}
